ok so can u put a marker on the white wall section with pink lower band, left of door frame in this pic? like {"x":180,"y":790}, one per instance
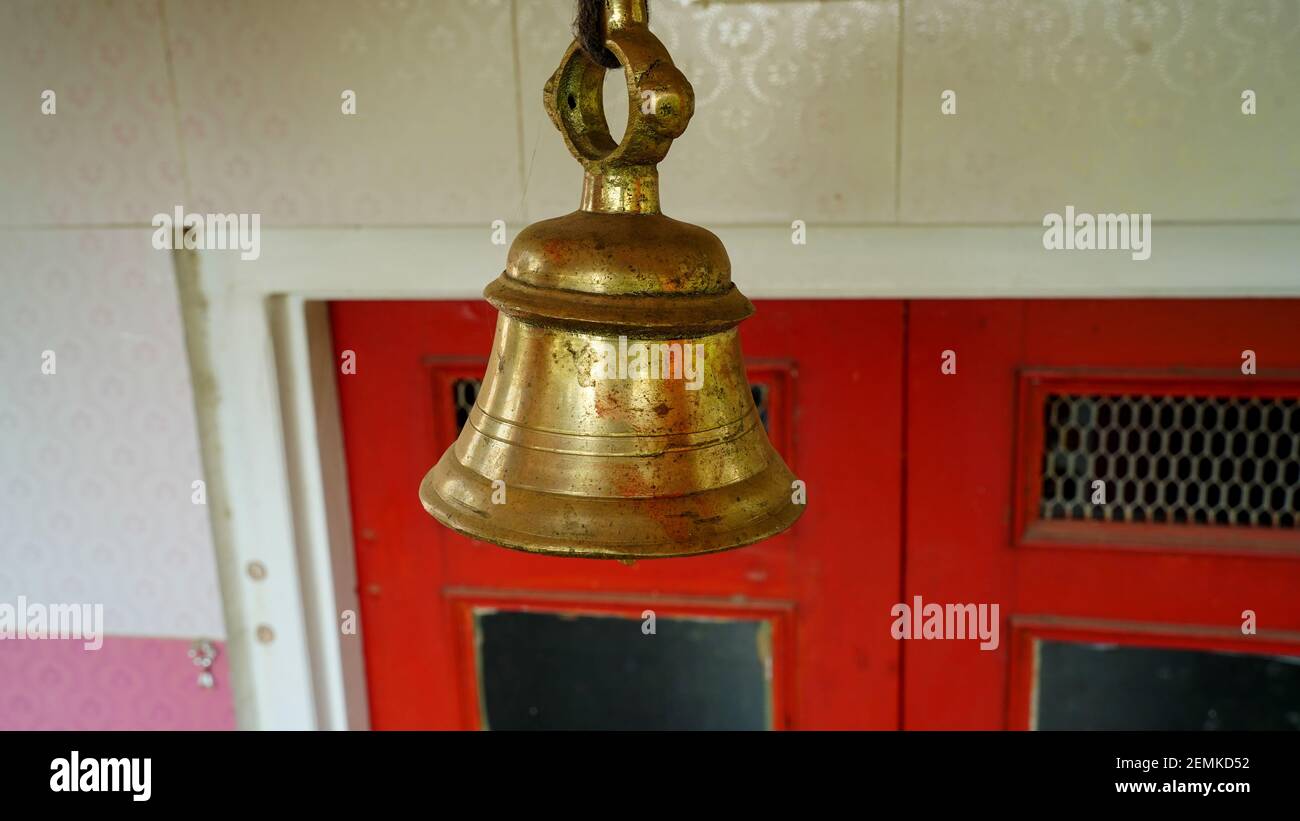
{"x":97,"y":468}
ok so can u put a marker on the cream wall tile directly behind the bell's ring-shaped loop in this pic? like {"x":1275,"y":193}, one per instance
{"x":795,"y":111}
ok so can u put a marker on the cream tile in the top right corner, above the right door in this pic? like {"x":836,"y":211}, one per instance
{"x":1108,"y":106}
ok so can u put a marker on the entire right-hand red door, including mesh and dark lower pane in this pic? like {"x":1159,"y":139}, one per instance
{"x":1125,"y":614}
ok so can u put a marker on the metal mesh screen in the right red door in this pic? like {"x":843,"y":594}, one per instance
{"x":1201,"y":461}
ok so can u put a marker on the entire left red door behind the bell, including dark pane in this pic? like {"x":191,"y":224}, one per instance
{"x":791,"y":633}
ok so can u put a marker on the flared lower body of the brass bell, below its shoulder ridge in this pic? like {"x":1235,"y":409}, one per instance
{"x":565,"y":455}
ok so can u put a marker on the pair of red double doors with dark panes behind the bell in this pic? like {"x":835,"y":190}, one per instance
{"x":952,"y":454}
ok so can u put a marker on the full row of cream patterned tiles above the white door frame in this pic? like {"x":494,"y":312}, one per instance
{"x":1104,"y":105}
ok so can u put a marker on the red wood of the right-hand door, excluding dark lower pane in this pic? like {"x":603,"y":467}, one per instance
{"x":976,"y":532}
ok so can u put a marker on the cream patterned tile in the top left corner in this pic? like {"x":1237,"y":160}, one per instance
{"x":110,"y":153}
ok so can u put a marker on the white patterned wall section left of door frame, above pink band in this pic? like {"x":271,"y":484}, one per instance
{"x":101,"y":457}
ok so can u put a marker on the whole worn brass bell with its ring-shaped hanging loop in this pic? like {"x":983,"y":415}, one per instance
{"x":616,"y":420}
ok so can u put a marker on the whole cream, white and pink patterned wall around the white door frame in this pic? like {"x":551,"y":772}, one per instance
{"x":824,"y":111}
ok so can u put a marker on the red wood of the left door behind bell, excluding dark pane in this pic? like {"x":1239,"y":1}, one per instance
{"x":833,"y":375}
